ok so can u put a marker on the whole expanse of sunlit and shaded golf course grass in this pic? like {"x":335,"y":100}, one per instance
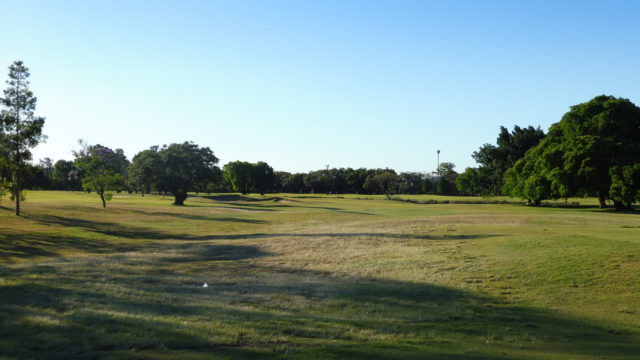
{"x":293,"y":276}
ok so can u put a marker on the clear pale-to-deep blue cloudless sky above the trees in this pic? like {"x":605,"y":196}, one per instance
{"x":306,"y":84}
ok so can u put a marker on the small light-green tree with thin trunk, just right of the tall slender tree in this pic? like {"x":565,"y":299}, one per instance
{"x":99,"y":167}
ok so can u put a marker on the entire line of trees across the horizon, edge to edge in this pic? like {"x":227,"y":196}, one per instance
{"x":594,"y":150}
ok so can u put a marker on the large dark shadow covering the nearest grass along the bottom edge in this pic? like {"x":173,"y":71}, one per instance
{"x":255,"y":311}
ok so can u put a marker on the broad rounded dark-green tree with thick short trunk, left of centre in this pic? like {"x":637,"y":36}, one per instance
{"x":184,"y":167}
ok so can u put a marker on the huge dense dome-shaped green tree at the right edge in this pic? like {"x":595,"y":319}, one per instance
{"x":591,"y":151}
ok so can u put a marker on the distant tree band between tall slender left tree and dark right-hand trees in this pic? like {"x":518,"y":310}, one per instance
{"x":180,"y":168}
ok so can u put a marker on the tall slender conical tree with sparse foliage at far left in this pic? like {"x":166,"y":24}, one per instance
{"x":20,"y":129}
